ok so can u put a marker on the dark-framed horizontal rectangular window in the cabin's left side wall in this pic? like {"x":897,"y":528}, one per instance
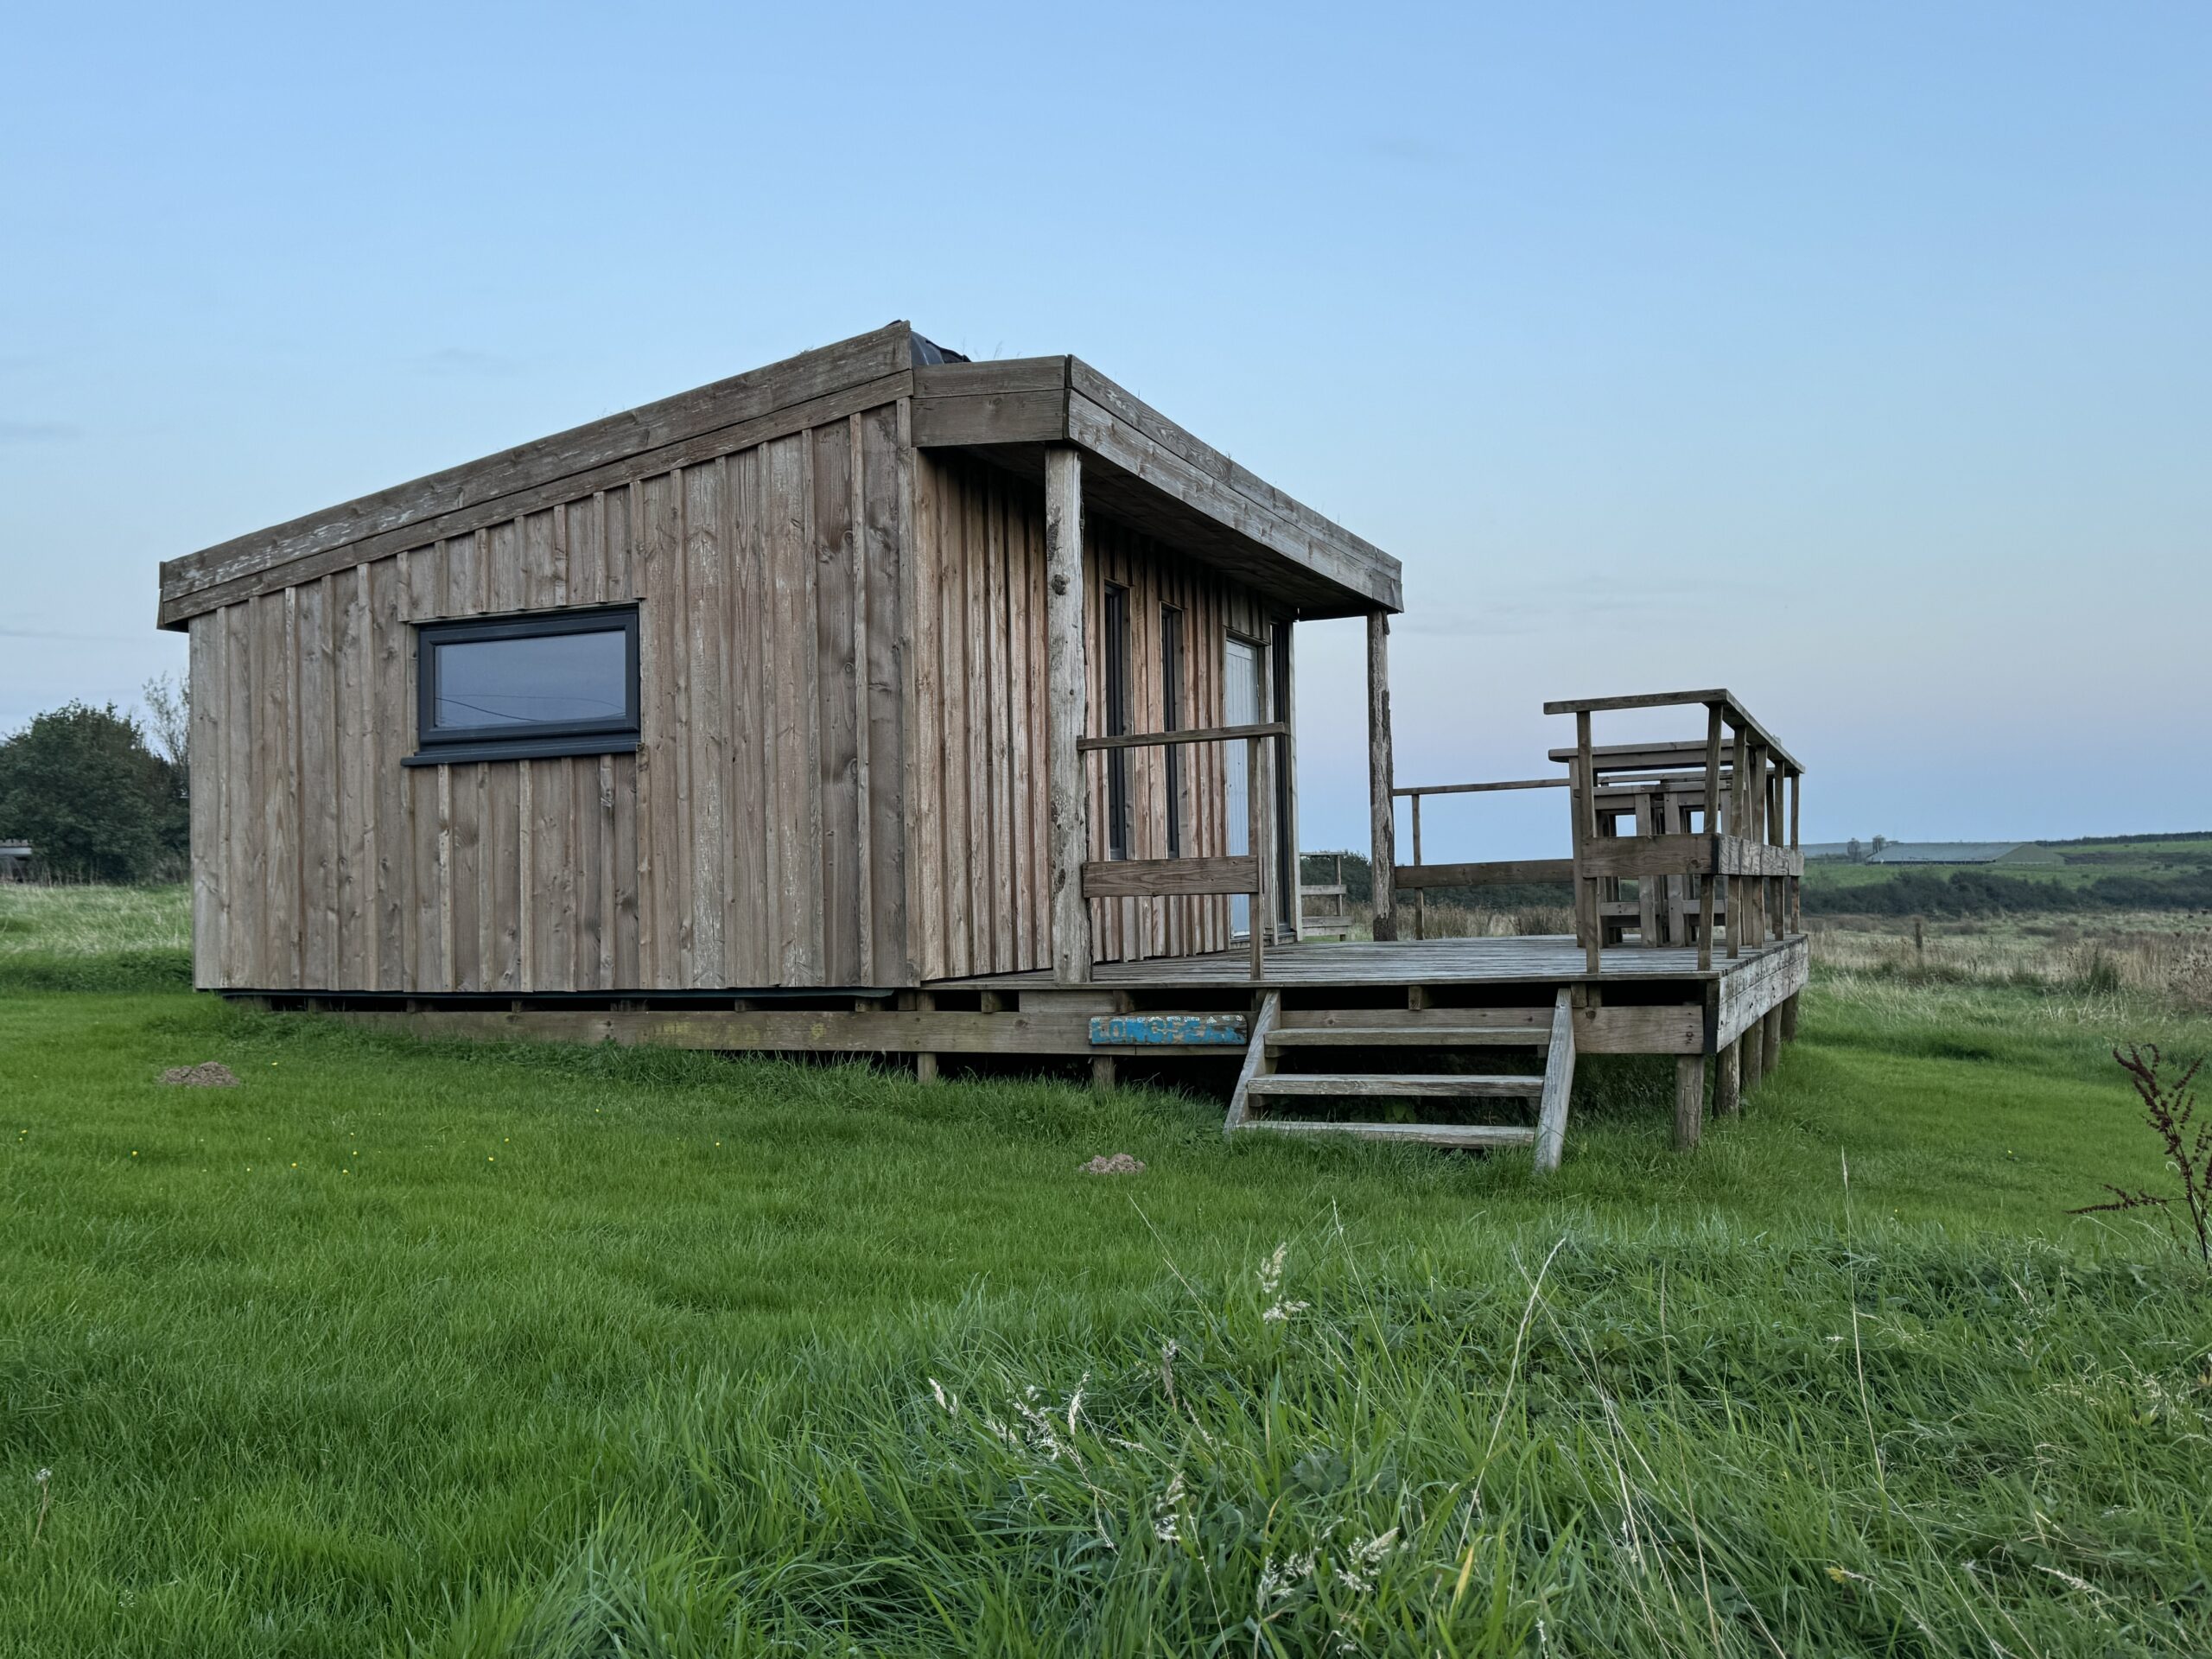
{"x":512,"y":689}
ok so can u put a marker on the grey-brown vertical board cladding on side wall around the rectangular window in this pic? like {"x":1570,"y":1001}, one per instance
{"x":755,"y":839}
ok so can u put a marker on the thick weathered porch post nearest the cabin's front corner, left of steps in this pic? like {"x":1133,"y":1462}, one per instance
{"x":1065,"y":713}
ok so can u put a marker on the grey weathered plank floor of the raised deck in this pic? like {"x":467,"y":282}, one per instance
{"x":1439,"y":961}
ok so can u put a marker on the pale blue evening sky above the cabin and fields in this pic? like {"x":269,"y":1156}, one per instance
{"x":1859,"y":359}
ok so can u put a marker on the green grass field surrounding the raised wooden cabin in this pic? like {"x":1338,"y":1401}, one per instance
{"x":435,"y":1350}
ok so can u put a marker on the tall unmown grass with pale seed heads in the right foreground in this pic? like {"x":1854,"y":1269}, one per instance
{"x":1574,"y":1439}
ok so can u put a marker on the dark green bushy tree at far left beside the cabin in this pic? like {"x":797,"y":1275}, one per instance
{"x":85,"y":791}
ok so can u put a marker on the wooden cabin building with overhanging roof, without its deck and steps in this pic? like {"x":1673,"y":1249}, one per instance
{"x":749,"y":691}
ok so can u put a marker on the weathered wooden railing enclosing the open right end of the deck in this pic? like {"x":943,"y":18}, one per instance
{"x":1704,"y":842}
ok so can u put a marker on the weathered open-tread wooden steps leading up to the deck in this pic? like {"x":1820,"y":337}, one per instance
{"x":1277,"y":1034}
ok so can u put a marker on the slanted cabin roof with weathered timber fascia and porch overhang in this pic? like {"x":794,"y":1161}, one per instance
{"x":1140,"y":468}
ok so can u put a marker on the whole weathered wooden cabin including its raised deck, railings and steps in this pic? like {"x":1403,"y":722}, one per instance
{"x":886,"y":702}
